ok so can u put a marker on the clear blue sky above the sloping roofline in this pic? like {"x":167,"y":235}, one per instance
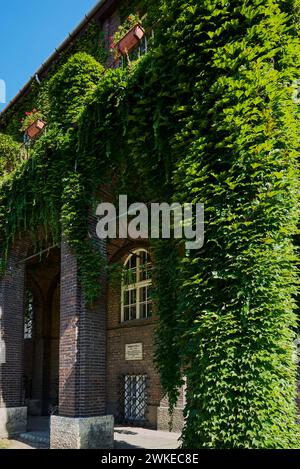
{"x":29,"y":32}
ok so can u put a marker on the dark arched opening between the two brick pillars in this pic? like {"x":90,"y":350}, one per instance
{"x":41,"y":334}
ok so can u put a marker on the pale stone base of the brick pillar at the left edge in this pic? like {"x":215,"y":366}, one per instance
{"x":13,"y":421}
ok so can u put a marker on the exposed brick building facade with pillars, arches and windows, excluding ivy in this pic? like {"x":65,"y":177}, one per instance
{"x":85,"y":367}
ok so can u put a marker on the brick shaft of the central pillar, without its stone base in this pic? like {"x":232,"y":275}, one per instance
{"x":82,"y":376}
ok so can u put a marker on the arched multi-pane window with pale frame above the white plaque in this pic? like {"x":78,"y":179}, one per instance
{"x":136,"y":285}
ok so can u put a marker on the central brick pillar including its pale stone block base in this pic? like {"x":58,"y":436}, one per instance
{"x":82,"y":422}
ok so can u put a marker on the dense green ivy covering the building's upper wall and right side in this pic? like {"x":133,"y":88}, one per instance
{"x":205,"y":116}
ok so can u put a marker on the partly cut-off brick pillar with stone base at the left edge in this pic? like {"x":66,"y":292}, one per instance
{"x":13,"y":414}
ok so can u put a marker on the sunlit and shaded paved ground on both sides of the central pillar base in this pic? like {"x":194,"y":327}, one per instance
{"x":125,"y":437}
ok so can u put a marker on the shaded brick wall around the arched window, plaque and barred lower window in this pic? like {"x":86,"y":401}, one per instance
{"x":119,"y":334}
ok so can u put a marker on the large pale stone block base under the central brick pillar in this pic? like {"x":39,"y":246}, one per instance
{"x":82,"y":432}
